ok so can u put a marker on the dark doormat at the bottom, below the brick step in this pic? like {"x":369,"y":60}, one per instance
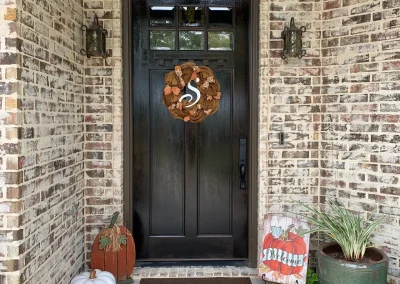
{"x":211,"y":280}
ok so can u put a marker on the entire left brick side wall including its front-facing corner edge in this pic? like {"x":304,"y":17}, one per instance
{"x":42,"y":232}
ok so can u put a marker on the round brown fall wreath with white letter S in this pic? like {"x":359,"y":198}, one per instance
{"x":186,"y":106}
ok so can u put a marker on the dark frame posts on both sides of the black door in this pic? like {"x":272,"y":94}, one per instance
{"x":253,"y":40}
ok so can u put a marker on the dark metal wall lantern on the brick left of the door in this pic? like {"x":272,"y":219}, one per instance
{"x":95,"y":37}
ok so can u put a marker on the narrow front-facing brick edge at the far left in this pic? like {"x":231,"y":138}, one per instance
{"x":10,"y":205}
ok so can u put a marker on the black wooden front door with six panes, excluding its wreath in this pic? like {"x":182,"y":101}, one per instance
{"x":187,"y":196}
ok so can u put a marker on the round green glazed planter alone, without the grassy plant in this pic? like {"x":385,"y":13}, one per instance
{"x":335,"y":271}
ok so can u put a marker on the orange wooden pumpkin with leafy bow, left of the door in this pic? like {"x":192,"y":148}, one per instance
{"x":113,"y":250}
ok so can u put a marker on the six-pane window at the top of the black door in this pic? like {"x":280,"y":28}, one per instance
{"x":196,"y":28}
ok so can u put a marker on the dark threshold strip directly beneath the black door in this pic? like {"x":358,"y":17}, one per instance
{"x":192,"y":263}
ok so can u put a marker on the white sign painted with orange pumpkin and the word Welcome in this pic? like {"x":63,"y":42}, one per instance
{"x":284,"y":253}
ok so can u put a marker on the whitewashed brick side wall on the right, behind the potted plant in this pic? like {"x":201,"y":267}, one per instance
{"x":360,"y":112}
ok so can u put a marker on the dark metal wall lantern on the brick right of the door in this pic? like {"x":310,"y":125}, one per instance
{"x":292,"y":42}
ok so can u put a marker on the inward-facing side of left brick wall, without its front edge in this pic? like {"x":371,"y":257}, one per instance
{"x":51,"y":140}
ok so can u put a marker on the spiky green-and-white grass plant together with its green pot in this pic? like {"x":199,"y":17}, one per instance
{"x":349,"y":259}
